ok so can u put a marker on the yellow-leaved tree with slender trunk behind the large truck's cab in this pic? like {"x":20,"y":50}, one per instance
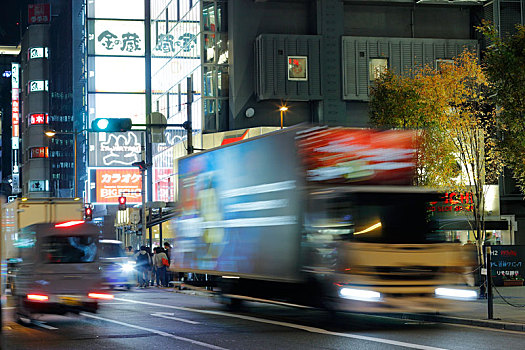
{"x":451,"y":105}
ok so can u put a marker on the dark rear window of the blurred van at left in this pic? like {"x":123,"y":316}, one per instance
{"x":69,"y":249}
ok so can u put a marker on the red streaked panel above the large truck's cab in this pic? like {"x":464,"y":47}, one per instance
{"x":359,"y":156}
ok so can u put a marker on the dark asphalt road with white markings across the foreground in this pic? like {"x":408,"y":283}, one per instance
{"x":163,"y":319}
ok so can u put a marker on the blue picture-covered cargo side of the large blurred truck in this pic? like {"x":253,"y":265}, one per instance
{"x":240,"y":209}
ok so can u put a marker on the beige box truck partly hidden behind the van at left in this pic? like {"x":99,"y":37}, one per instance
{"x":20,"y":213}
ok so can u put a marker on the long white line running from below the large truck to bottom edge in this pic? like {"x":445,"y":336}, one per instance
{"x":289,"y":325}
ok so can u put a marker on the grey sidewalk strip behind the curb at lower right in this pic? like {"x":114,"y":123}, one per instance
{"x":476,"y":314}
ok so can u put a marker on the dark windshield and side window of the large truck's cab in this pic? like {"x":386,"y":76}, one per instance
{"x":374,"y":217}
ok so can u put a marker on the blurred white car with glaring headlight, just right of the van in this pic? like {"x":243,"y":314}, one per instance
{"x":117,"y":268}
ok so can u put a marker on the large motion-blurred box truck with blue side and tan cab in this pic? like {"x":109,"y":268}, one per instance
{"x":317,"y":216}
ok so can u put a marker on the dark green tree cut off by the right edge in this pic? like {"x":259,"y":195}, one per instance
{"x":505,"y":66}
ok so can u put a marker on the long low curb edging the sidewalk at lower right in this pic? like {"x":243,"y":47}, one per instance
{"x":465,"y":321}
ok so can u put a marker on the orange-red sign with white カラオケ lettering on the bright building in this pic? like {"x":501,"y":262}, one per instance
{"x":113,"y":183}
